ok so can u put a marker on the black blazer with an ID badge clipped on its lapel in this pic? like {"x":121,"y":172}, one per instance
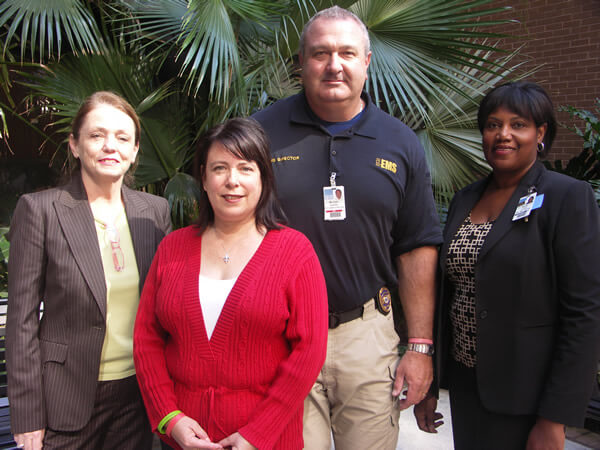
{"x":537,"y":299}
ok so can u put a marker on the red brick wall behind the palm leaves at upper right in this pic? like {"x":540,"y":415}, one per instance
{"x":564,"y":35}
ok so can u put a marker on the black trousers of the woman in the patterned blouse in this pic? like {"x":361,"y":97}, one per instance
{"x":475,"y":427}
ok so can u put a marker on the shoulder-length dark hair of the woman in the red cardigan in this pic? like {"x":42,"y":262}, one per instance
{"x":244,"y":138}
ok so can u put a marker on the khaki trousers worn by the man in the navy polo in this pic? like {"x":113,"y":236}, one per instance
{"x":352,"y":397}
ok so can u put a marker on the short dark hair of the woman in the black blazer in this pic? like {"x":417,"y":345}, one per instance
{"x":526,"y":99}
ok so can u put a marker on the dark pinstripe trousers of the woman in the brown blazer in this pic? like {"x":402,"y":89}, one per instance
{"x":118,"y":421}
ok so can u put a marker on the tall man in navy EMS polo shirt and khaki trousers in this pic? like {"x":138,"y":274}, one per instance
{"x":355,"y":181}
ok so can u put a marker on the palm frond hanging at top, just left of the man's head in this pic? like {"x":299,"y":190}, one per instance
{"x":206,"y":36}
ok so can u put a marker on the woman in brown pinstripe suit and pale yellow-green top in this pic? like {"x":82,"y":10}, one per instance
{"x":82,"y":249}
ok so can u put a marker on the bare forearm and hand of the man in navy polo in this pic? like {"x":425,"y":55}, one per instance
{"x":416,"y":287}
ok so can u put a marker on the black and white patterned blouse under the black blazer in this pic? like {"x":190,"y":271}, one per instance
{"x":460,"y":268}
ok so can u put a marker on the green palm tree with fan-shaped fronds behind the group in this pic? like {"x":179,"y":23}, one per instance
{"x":188,"y":64}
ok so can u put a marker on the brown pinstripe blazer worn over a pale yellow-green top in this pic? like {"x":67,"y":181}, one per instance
{"x":53,"y":363}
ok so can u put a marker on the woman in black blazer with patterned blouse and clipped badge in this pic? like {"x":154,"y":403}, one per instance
{"x":519,"y":314}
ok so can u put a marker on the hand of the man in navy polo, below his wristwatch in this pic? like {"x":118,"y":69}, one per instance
{"x":416,"y":370}
